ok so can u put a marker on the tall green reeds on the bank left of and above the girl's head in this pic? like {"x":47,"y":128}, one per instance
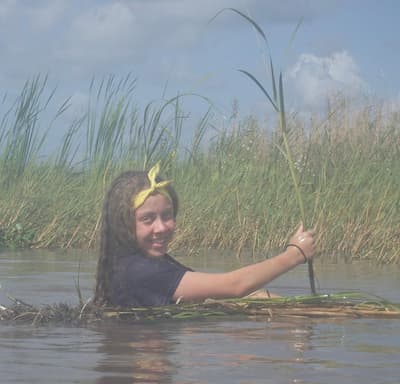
{"x":55,"y":200}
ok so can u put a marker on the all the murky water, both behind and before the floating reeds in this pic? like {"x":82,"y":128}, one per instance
{"x":208,"y":351}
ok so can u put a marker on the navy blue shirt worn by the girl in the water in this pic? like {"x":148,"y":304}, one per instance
{"x":144,"y":281}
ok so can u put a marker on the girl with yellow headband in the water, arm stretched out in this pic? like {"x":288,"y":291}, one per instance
{"x":134,"y":269}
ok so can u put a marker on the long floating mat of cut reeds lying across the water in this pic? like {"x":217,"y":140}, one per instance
{"x":334,"y":306}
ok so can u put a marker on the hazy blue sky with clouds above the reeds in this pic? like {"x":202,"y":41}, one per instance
{"x":350,"y":47}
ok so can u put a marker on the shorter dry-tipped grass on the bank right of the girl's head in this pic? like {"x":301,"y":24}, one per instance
{"x":240,"y":196}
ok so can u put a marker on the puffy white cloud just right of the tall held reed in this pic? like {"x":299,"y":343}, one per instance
{"x":314,"y":79}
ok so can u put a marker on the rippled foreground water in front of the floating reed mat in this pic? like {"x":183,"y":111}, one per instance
{"x":218,"y":351}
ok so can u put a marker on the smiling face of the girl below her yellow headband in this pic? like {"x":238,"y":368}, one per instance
{"x":155,"y":225}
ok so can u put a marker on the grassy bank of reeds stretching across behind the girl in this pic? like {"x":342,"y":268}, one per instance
{"x":235,"y":190}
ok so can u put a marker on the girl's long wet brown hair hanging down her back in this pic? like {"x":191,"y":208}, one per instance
{"x":117,"y":235}
